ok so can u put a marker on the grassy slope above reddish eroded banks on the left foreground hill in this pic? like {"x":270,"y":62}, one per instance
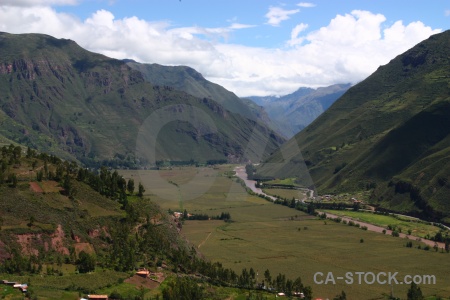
{"x":52,"y":208}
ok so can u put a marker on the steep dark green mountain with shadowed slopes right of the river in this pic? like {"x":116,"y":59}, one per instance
{"x":389,"y":134}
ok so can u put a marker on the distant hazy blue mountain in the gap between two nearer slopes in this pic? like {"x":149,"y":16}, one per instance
{"x":291,"y":113}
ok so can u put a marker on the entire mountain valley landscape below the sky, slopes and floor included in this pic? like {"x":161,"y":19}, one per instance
{"x":109,"y":167}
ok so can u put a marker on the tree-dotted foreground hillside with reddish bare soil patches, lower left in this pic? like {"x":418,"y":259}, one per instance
{"x":67,"y":231}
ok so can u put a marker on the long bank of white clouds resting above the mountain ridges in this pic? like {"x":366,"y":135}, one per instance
{"x":348,"y":49}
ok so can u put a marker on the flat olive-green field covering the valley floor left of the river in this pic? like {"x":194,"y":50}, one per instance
{"x":263,"y":236}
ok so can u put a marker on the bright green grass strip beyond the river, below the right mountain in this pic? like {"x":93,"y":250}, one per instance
{"x":420,"y":229}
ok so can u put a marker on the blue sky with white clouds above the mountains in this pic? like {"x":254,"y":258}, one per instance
{"x":251,"y":47}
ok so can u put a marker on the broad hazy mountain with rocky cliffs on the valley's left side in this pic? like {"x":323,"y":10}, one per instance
{"x":57,"y":97}
